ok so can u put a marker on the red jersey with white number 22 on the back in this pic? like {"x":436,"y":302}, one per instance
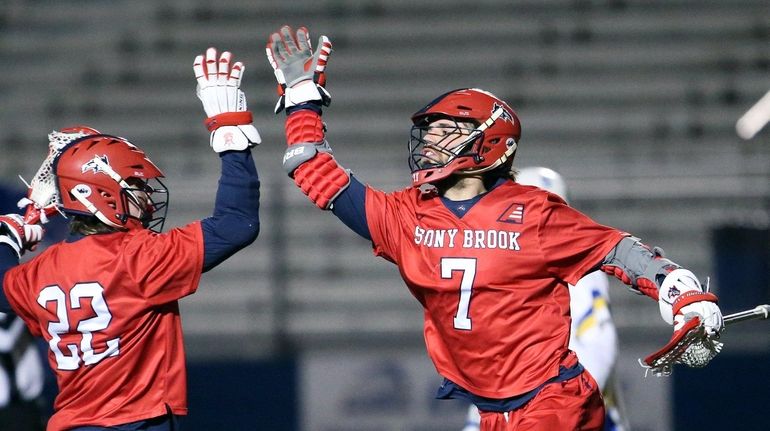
{"x":107,"y":306}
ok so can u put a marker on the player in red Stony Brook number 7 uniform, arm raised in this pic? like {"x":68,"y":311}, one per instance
{"x":487,"y":258}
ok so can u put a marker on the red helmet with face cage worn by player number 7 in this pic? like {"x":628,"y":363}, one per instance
{"x":492,"y":137}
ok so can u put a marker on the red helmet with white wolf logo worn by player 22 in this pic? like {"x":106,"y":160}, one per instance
{"x":105,"y":176}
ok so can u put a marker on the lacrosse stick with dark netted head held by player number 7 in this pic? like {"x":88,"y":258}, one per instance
{"x":692,"y":346}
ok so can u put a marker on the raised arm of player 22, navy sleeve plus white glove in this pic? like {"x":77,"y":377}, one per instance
{"x":235,"y":222}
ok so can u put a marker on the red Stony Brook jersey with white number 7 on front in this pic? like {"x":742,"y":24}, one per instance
{"x":493,"y":283}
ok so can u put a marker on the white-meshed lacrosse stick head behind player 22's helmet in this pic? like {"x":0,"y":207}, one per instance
{"x":43,"y":198}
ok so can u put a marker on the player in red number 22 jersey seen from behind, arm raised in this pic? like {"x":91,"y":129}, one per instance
{"x":106,"y":299}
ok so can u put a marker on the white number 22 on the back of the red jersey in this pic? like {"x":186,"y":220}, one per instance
{"x":86,"y":327}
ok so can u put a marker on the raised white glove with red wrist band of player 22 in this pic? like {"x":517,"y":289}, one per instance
{"x":218,"y":89}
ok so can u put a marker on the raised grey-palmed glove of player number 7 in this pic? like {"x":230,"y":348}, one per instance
{"x":299,"y":70}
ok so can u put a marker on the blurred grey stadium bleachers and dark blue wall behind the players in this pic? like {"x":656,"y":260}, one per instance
{"x":633,"y":101}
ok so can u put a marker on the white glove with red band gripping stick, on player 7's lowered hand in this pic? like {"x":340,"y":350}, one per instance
{"x":681,"y":298}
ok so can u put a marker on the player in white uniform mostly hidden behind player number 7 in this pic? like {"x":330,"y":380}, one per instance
{"x":593,"y":336}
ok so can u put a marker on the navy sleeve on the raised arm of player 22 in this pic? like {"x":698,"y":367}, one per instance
{"x":235,"y":222}
